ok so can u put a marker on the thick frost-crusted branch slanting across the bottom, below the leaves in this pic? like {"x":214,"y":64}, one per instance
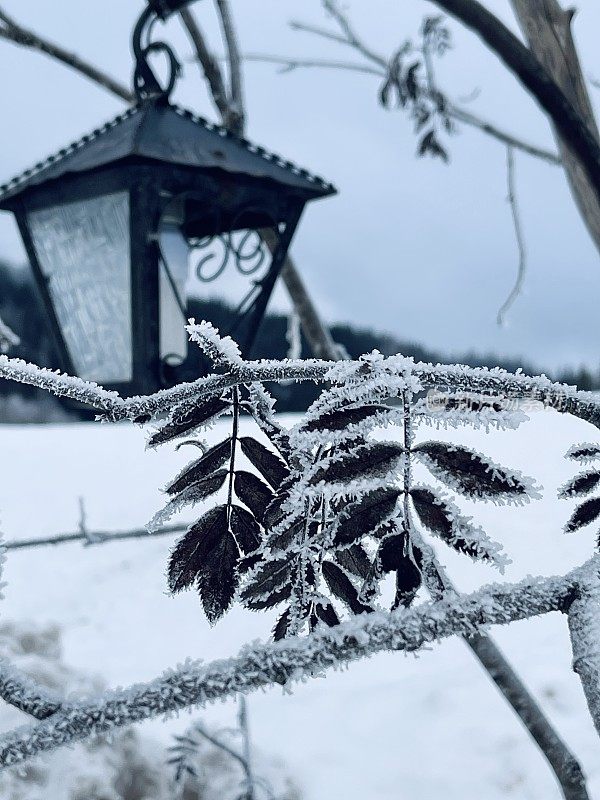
{"x":291,"y":660}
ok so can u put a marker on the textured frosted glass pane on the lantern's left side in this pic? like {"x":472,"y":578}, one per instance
{"x":83,"y":250}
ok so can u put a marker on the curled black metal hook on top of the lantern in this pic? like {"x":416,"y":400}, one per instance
{"x":145,"y":83}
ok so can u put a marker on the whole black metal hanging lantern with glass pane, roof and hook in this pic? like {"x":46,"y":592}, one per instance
{"x":109,"y":223}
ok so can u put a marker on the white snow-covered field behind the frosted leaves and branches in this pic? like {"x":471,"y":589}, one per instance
{"x":401,"y":727}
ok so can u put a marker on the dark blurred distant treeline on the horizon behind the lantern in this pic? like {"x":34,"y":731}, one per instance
{"x":21,"y":308}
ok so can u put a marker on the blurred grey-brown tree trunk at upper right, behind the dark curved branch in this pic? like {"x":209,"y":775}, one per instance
{"x":547,"y":28}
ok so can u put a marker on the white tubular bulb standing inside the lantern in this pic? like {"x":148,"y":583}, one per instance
{"x":173,"y":274}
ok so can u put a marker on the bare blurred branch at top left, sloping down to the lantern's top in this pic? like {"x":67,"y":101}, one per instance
{"x":14,"y":32}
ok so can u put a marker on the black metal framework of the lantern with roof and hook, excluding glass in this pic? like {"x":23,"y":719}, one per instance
{"x":158,"y":153}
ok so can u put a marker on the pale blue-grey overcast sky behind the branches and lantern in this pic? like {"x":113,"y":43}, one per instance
{"x":411,"y":246}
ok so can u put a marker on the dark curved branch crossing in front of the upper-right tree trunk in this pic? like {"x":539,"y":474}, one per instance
{"x":526,"y":67}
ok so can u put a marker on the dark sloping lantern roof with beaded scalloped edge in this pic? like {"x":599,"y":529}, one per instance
{"x":165,"y":133}
